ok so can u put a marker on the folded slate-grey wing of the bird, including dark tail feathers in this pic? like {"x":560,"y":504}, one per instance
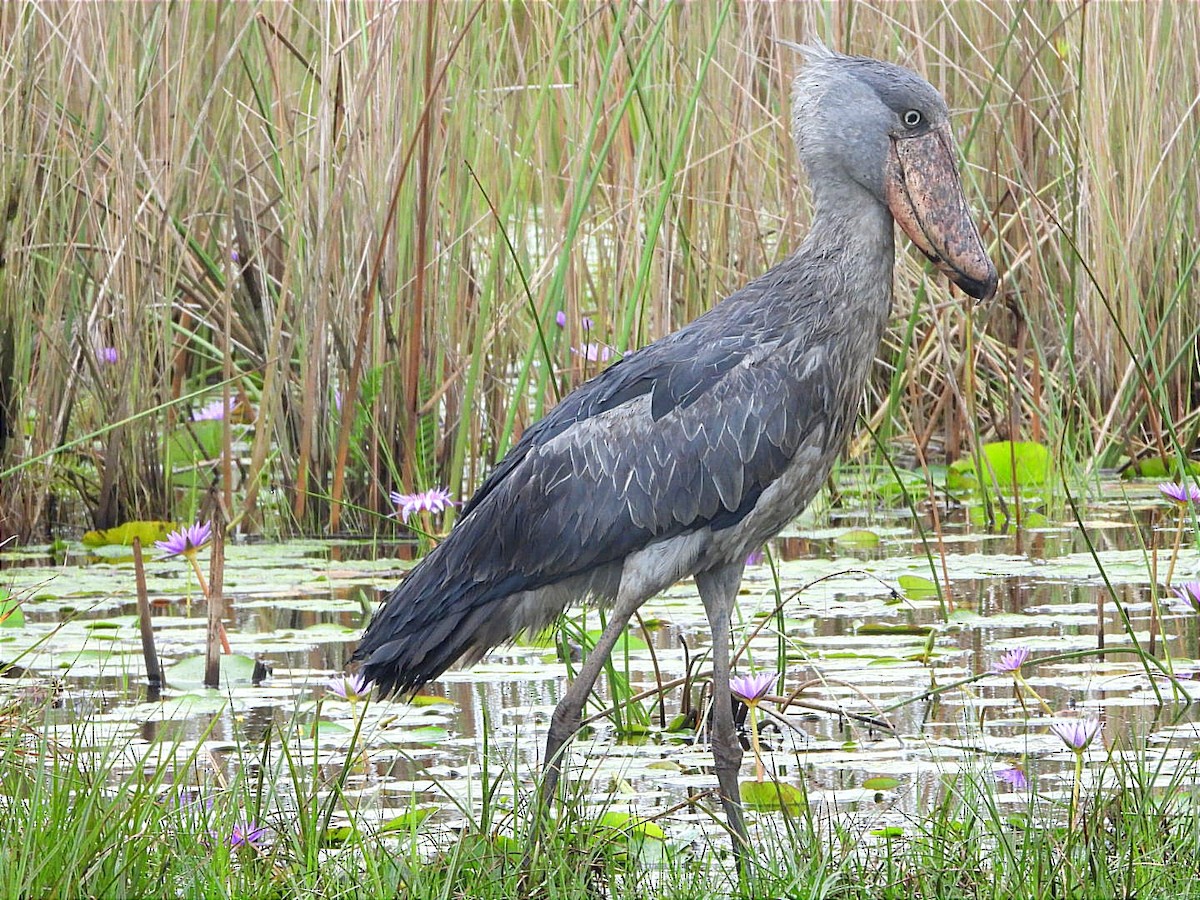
{"x":665,"y":449}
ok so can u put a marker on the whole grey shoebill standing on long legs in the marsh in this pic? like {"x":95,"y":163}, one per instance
{"x":691,"y":453}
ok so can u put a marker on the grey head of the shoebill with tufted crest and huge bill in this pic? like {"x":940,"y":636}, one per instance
{"x":886,"y":130}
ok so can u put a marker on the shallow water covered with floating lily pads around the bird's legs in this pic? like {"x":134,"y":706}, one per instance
{"x":848,"y":633}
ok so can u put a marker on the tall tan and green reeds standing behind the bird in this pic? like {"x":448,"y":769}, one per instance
{"x":357,"y":223}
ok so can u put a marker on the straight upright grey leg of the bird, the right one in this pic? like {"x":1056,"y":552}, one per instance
{"x":719,"y":590}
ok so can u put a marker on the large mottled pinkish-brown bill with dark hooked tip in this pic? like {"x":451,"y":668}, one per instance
{"x":925,"y":194}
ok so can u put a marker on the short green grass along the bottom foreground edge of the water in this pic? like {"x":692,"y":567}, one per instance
{"x":86,"y":818}
